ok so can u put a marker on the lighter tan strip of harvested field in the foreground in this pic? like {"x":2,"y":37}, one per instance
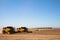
{"x":30,"y":37}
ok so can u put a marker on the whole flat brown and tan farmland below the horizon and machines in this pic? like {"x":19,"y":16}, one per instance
{"x":35,"y":35}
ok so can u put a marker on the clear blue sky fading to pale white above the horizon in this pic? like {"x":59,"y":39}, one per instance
{"x":30,"y":13}
